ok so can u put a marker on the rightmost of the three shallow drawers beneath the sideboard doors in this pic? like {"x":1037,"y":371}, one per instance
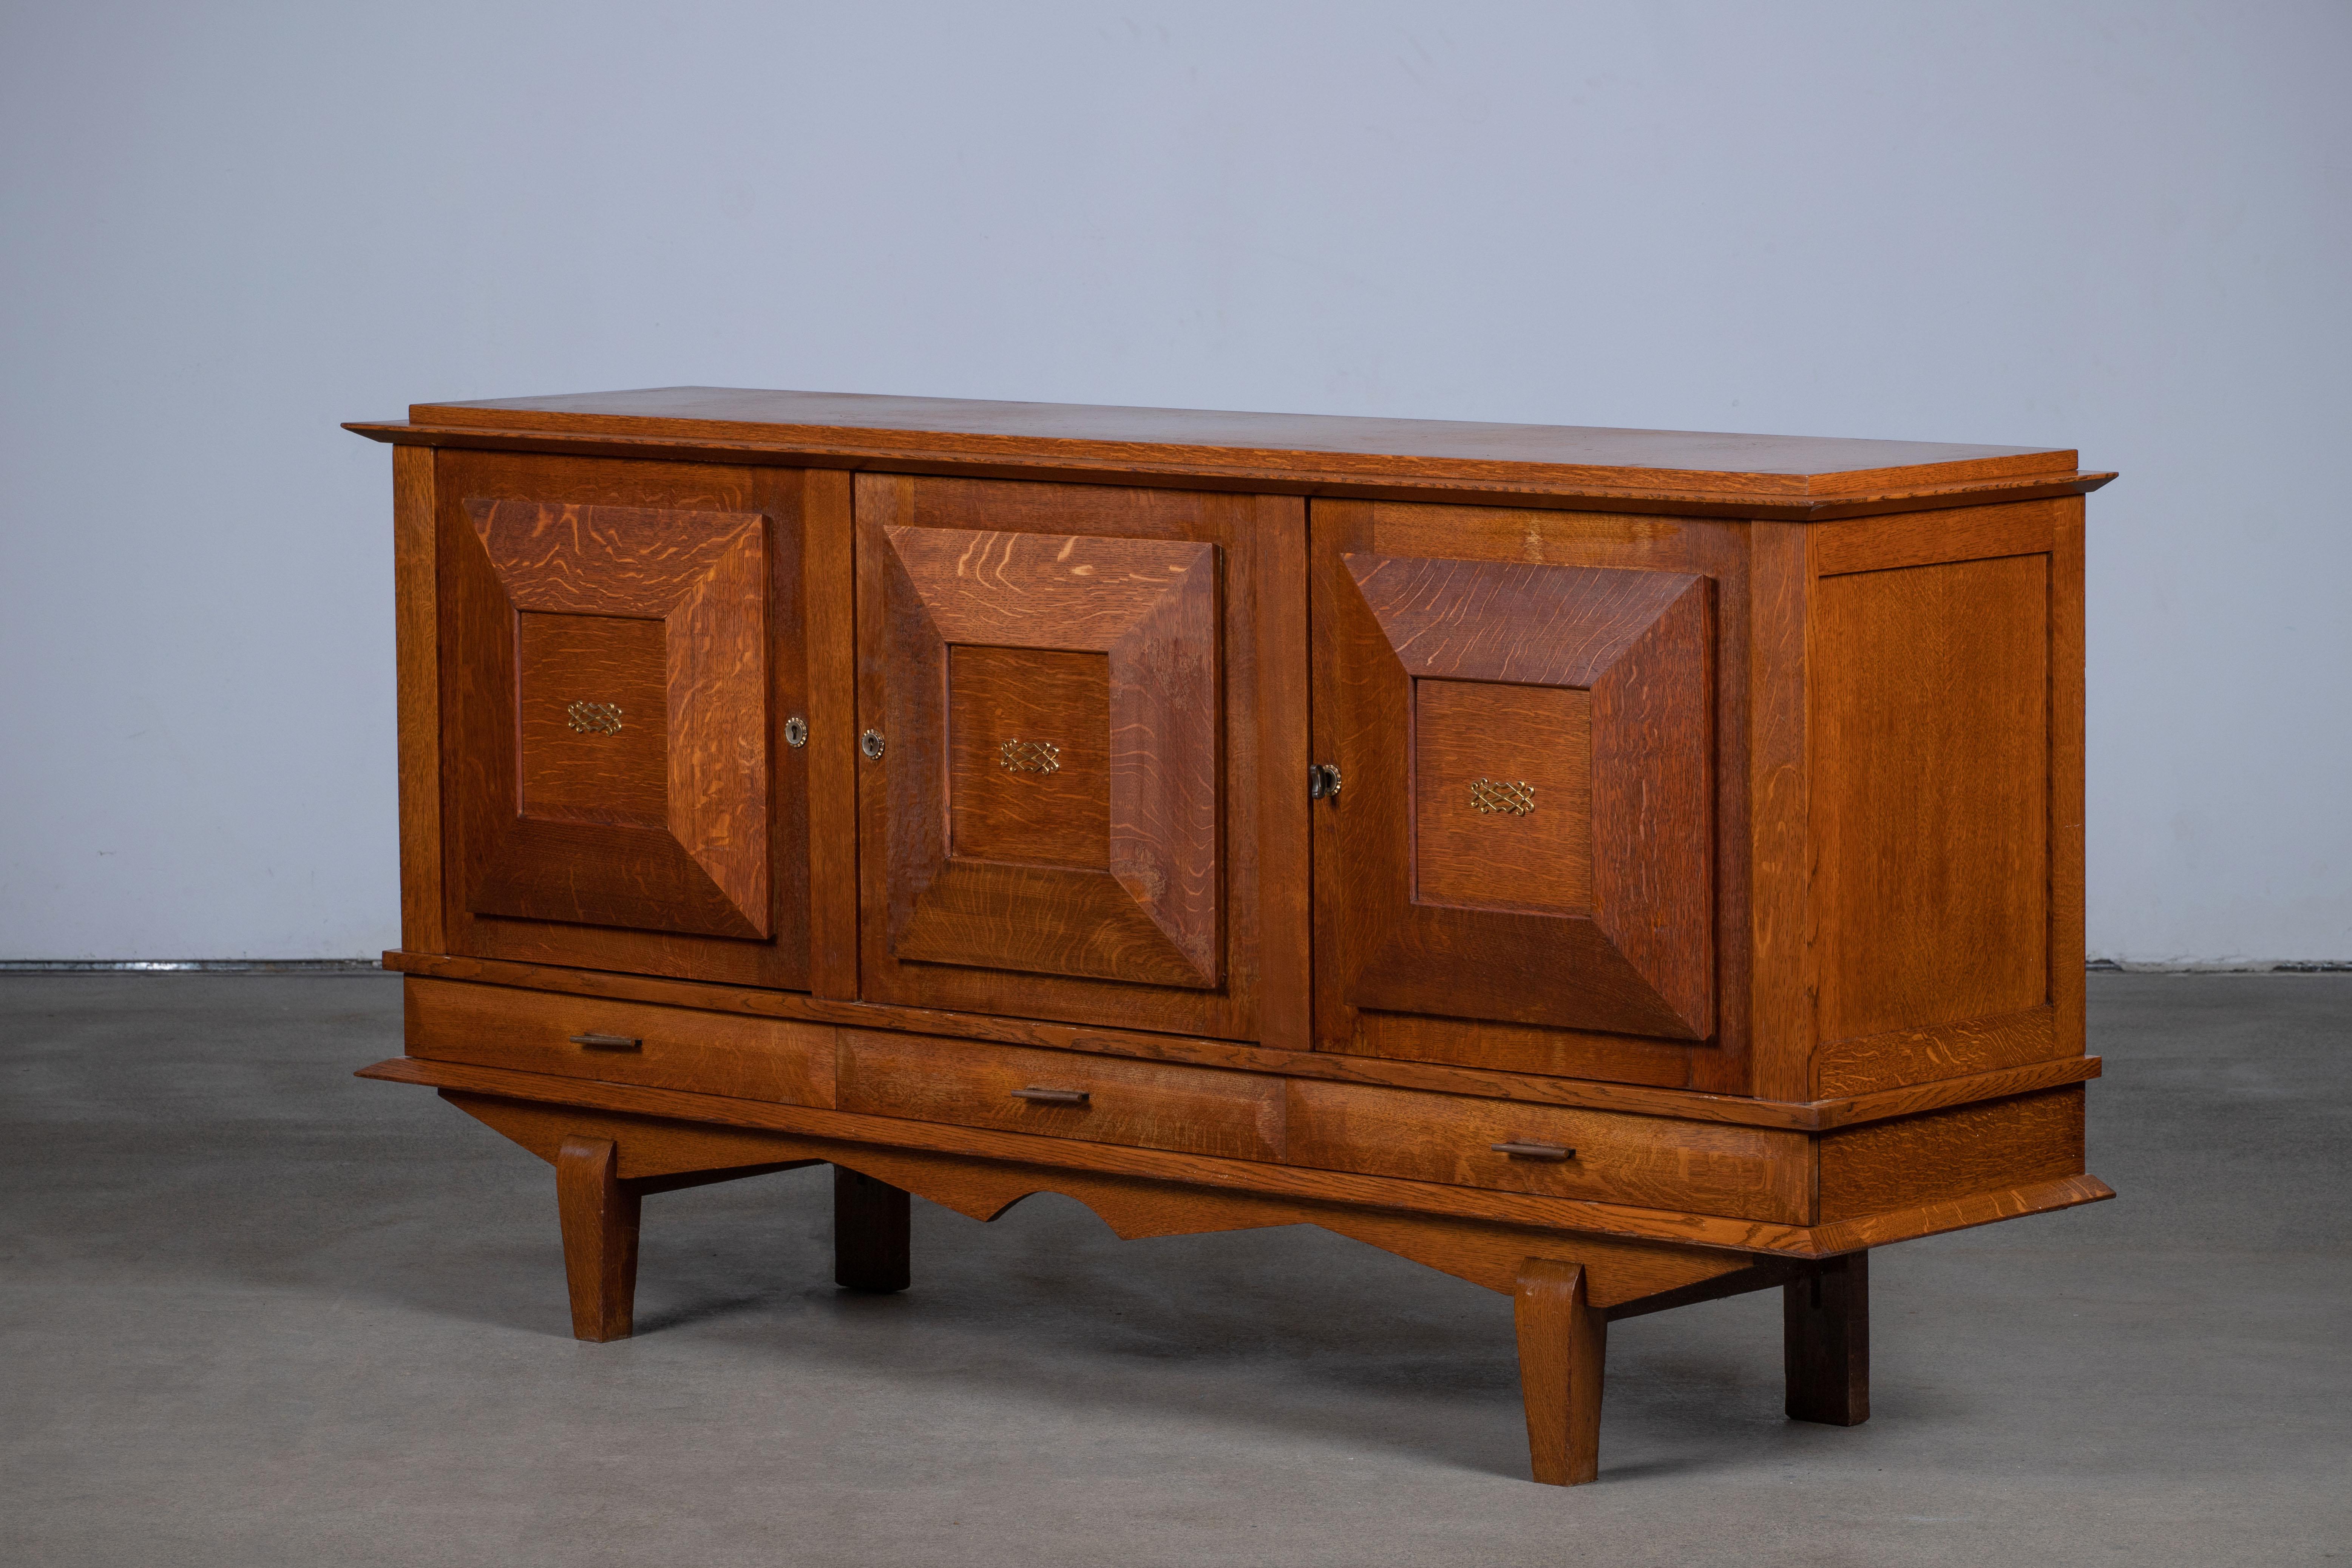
{"x":1652,"y":1162}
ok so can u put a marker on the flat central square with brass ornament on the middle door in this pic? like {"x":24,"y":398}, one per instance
{"x":1029,"y":756}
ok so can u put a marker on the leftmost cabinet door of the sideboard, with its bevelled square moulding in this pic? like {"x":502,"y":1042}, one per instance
{"x":620,"y":657}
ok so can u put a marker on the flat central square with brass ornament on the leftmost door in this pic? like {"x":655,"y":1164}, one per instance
{"x":594,"y":721}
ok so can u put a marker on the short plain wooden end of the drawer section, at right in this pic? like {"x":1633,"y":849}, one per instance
{"x":1951,"y":1155}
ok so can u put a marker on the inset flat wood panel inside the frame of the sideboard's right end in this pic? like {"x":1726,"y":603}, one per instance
{"x":1932,"y":793}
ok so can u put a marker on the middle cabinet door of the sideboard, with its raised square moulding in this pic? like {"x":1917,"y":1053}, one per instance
{"x":1064,"y":805}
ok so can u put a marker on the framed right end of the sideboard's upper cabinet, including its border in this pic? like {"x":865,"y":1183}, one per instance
{"x":1946,"y":798}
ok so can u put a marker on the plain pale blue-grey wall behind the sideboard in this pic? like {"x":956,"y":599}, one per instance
{"x":229,"y":227}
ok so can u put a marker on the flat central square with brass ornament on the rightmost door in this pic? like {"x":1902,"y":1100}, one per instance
{"x":1504,"y":796}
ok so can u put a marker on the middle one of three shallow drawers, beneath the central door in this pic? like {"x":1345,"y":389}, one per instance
{"x":1154,"y":1106}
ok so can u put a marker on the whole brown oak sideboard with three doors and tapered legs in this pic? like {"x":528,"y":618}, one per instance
{"x":1619,"y":869}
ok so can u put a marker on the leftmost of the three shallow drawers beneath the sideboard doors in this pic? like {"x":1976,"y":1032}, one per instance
{"x":721,"y":1054}
